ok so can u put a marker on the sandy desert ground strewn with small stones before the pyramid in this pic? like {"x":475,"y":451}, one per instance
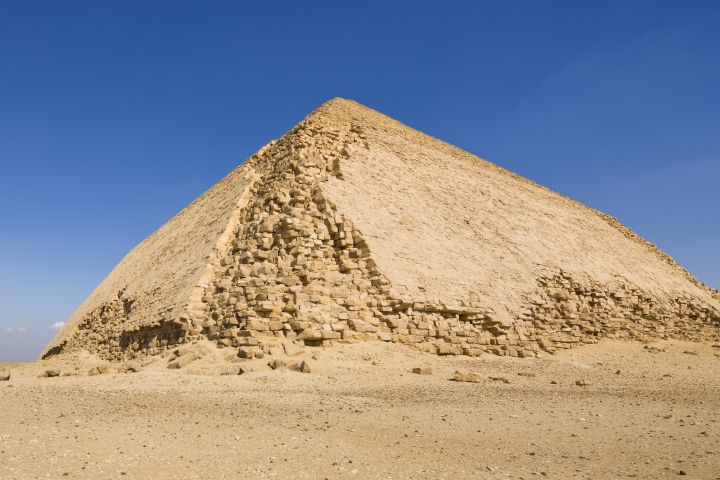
{"x":643,"y":411}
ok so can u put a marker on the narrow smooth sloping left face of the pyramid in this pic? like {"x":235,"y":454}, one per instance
{"x":153,"y":284}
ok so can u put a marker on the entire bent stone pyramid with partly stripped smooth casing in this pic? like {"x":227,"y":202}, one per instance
{"x":353,"y":226}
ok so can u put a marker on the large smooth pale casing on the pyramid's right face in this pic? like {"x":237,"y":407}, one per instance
{"x":446,"y":225}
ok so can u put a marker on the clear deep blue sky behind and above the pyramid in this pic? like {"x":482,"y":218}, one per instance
{"x":115,"y":115}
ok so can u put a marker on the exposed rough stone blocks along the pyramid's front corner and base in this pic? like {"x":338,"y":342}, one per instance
{"x":293,"y":268}
